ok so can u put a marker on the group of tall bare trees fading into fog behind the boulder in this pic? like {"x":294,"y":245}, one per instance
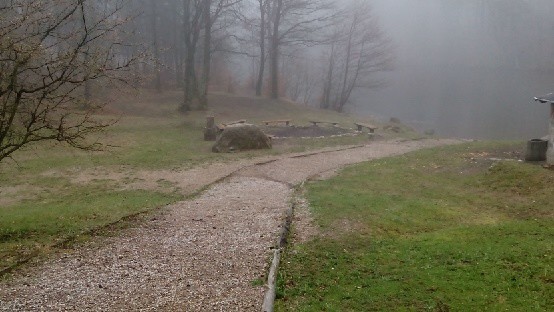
{"x":189,"y":40}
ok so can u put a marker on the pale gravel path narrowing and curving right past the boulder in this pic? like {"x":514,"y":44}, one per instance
{"x":201,"y":254}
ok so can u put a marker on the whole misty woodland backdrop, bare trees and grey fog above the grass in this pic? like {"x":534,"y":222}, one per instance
{"x":463,"y":67}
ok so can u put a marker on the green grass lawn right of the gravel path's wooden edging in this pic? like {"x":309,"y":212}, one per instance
{"x":436,"y":230}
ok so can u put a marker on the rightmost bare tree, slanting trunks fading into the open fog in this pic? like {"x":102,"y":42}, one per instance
{"x":359,"y":52}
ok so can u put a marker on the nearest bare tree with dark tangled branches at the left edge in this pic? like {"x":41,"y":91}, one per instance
{"x":48,"y":51}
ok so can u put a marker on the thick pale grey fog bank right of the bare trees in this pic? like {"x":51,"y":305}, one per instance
{"x":467,"y":68}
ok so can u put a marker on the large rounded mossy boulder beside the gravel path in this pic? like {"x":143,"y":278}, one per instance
{"x":241,"y":137}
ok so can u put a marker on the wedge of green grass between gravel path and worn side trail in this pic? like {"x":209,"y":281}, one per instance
{"x":33,"y":227}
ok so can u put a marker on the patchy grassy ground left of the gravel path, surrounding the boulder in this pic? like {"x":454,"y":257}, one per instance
{"x":48,"y":206}
